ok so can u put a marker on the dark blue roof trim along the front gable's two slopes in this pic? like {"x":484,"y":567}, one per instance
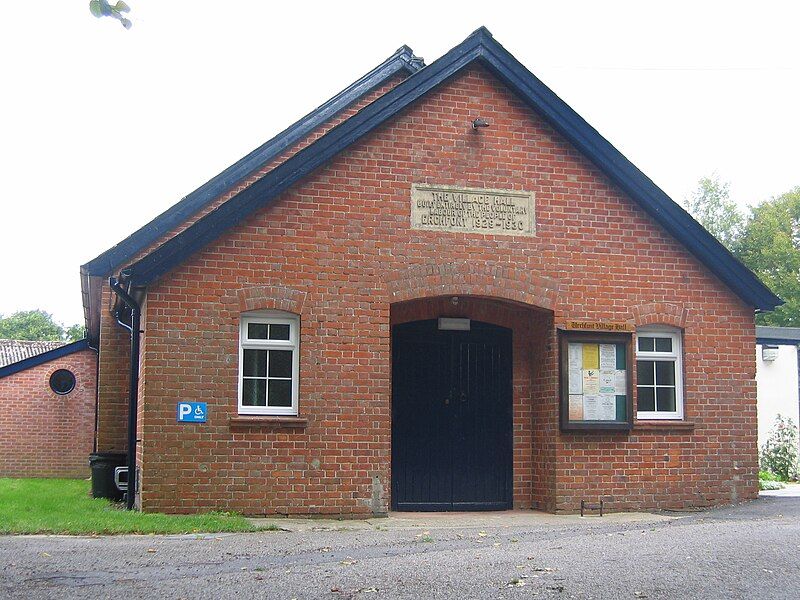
{"x":480,"y":46}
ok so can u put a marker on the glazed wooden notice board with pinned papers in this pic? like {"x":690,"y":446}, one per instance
{"x":596,"y":390}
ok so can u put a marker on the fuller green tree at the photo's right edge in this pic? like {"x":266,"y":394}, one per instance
{"x":770,"y":246}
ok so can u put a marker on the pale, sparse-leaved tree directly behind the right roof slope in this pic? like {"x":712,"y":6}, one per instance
{"x":711,"y":206}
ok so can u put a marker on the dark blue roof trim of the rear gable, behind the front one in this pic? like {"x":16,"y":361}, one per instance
{"x":105,"y":264}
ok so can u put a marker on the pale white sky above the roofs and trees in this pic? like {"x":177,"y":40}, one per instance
{"x":102,"y":128}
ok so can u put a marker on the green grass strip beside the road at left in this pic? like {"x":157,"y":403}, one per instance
{"x":65,"y":506}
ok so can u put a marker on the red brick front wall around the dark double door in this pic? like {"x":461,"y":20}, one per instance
{"x":337,"y":250}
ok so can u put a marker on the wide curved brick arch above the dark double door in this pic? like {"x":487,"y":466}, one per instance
{"x":463,"y":278}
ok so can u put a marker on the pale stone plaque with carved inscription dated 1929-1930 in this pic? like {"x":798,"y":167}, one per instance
{"x":471,"y":210}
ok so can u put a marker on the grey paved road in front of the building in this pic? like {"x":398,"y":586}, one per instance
{"x":748,"y":551}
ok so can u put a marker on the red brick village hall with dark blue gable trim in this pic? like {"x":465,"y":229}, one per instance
{"x":441,"y":290}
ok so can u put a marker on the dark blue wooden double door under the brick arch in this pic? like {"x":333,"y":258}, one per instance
{"x":452,"y":433}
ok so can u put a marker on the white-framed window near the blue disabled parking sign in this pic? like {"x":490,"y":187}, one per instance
{"x":269,"y":363}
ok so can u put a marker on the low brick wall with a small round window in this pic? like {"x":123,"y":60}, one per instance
{"x":43,"y":434}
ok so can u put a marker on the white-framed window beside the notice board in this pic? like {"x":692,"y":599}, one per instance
{"x":659,"y":373}
